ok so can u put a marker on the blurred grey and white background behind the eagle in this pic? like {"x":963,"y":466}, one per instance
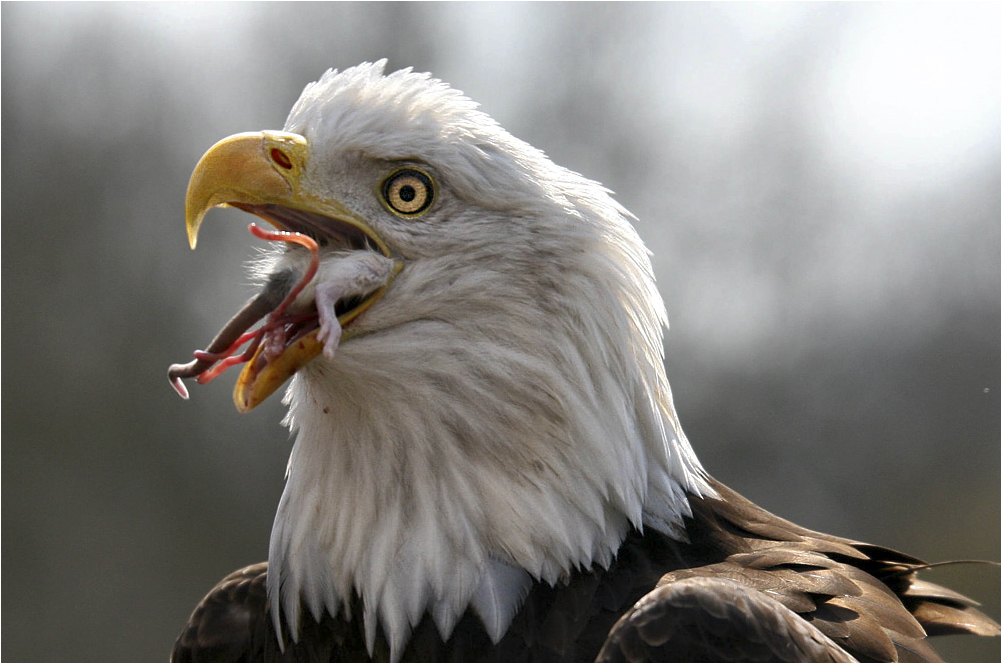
{"x":820,"y":185}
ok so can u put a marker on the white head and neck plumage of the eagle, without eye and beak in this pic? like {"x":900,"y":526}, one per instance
{"x":503,"y":413}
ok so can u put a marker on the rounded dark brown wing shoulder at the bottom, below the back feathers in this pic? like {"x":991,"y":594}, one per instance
{"x":704,"y":618}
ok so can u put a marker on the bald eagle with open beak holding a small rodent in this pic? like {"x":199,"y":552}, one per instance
{"x":488,"y":465}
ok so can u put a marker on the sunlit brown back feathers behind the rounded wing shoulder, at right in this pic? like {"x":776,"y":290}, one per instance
{"x":866,"y":598}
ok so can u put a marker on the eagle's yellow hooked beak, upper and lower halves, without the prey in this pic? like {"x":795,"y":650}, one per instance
{"x":261,"y":173}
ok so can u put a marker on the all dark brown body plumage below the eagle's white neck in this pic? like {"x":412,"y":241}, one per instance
{"x":748,"y":586}
